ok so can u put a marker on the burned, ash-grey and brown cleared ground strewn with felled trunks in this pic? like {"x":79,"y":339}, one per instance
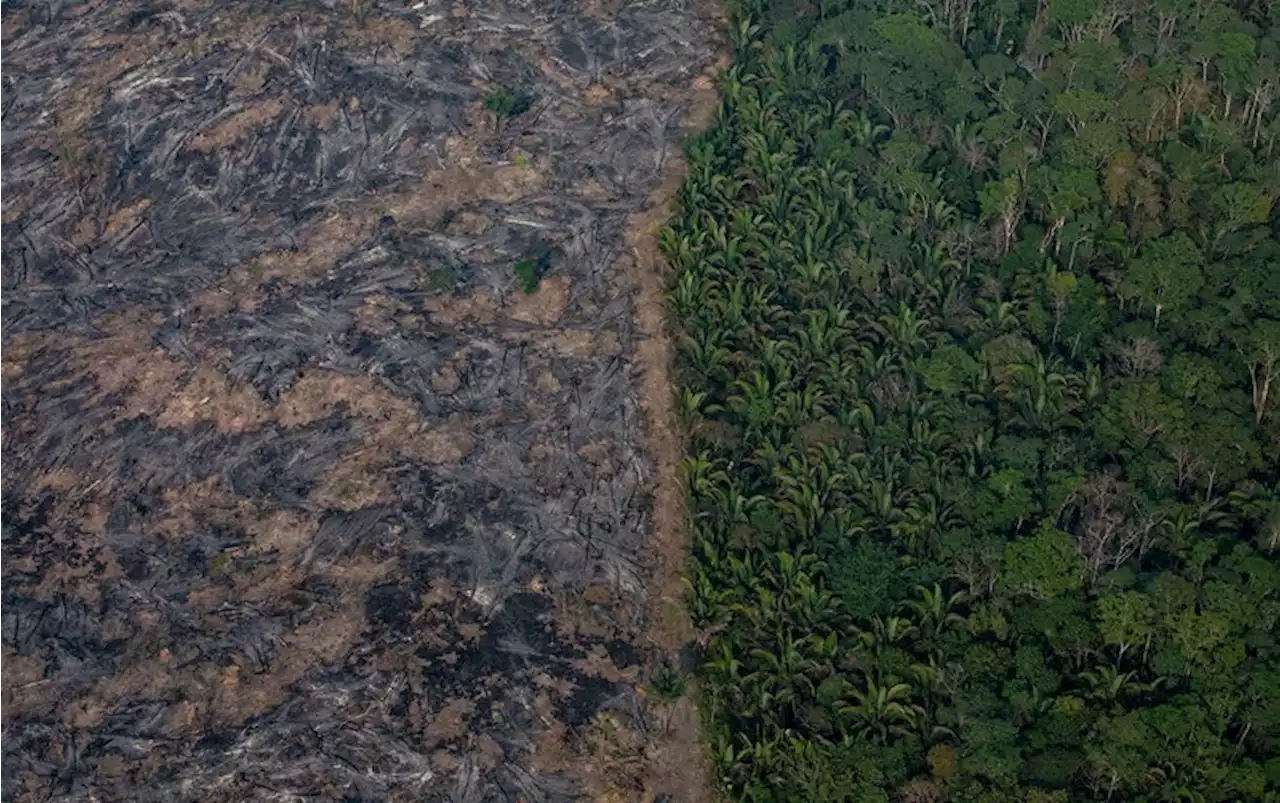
{"x":301,"y":496}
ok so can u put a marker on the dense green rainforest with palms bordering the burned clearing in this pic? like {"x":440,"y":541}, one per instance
{"x":977,"y":311}
